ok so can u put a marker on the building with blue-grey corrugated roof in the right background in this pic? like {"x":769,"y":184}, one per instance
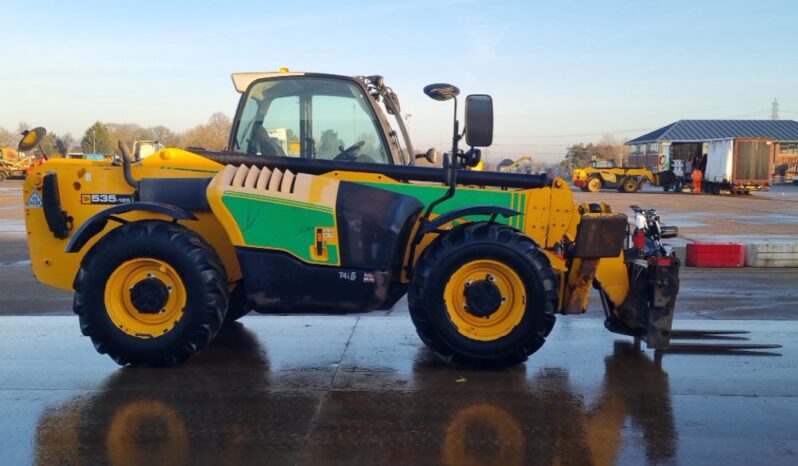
{"x":684,"y":139}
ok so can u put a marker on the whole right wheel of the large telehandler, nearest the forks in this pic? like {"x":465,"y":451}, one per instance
{"x":483,"y":295}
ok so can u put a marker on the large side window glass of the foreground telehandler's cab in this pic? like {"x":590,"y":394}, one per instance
{"x":314,"y":118}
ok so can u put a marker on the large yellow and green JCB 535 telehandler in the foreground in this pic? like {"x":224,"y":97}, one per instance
{"x":161,"y":251}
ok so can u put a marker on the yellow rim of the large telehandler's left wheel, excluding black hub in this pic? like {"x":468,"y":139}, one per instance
{"x":119,"y":302}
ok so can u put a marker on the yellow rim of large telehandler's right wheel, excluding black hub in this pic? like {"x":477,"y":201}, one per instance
{"x":504,"y":318}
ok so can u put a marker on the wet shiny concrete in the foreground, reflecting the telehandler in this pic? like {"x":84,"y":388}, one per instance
{"x":349,"y":390}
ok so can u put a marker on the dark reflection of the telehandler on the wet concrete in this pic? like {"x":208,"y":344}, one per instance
{"x":224,"y":407}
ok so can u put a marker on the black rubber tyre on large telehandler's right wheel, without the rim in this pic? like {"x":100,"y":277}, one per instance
{"x":471,"y":242}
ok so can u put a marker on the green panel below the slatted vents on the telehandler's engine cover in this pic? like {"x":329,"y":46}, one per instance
{"x":282,"y":226}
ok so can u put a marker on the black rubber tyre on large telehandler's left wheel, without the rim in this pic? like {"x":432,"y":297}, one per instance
{"x":193,"y":260}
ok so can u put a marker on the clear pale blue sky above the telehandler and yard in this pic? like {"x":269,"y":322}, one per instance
{"x":560,"y":72}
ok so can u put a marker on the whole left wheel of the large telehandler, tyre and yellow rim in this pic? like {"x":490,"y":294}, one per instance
{"x":151,"y":293}
